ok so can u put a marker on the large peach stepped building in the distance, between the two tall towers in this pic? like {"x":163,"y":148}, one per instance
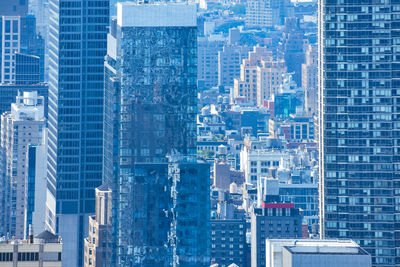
{"x":260,"y":76}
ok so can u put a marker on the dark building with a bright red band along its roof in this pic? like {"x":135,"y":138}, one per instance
{"x":273,"y":220}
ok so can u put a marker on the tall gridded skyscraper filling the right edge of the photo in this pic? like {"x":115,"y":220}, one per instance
{"x":359,"y":125}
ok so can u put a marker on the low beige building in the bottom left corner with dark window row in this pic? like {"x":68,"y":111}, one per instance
{"x":42,"y":251}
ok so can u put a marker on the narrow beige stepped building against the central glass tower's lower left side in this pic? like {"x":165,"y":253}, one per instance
{"x":97,"y":244}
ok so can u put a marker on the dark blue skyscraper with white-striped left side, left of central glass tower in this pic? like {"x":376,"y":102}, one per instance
{"x":77,"y":46}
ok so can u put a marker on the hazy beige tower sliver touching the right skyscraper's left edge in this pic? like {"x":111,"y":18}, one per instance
{"x":309,"y":79}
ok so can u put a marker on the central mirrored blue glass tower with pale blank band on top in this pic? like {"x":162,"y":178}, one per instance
{"x":160,"y":189}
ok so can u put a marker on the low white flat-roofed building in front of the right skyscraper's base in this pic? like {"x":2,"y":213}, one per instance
{"x":315,"y":253}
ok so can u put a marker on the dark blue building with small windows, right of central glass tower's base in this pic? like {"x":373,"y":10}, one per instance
{"x":228,"y":242}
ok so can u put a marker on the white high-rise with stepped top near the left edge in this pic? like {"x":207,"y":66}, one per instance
{"x":21,"y":127}
